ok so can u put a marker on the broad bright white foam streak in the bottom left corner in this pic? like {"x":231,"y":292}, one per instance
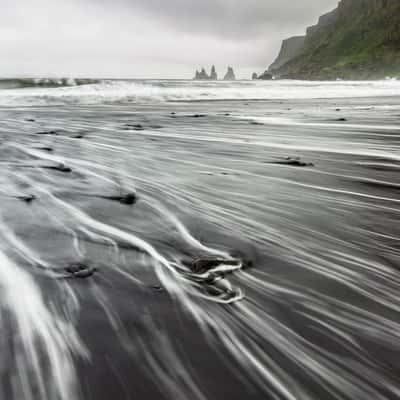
{"x":41,"y":332}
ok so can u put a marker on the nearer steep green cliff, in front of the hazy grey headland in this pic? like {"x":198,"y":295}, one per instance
{"x":358,"y":40}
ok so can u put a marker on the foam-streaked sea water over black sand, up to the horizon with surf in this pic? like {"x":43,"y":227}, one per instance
{"x":181,"y":240}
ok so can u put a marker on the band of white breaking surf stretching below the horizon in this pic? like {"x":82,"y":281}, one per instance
{"x":44,"y":92}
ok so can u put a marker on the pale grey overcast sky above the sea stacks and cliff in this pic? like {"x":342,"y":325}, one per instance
{"x":147,"y":38}
